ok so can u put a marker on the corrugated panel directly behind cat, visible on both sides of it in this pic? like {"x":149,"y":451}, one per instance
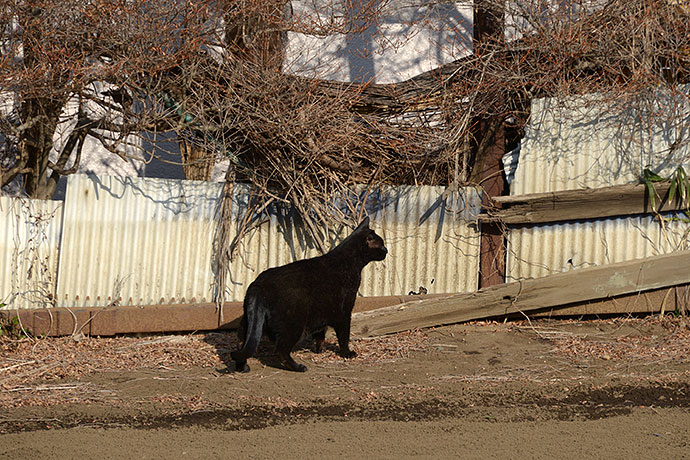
{"x":432,"y":242}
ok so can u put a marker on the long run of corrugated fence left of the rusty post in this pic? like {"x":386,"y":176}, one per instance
{"x":141,"y":241}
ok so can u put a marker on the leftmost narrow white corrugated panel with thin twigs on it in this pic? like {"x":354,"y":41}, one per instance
{"x":29,"y":238}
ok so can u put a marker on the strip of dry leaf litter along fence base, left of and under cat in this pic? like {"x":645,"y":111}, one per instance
{"x":28,"y":361}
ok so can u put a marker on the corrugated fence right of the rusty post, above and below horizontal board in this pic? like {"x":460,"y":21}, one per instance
{"x":581,"y":143}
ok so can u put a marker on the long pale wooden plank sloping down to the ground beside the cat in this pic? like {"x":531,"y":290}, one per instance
{"x":550,"y":291}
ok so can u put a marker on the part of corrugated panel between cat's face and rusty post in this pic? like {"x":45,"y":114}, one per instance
{"x":433,"y":242}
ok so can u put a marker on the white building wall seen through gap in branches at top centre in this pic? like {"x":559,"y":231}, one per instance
{"x":411,"y":37}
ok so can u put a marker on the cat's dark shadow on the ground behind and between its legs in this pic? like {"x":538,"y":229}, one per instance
{"x":225,"y":342}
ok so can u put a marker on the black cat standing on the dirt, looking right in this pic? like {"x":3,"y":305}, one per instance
{"x":303,"y":298}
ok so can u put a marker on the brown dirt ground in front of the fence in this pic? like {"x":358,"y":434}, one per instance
{"x":616,"y":388}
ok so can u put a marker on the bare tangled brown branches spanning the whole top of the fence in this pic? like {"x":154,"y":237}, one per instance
{"x":214,"y":73}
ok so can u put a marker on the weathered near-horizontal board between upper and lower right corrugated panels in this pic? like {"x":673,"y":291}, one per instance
{"x":619,"y":200}
